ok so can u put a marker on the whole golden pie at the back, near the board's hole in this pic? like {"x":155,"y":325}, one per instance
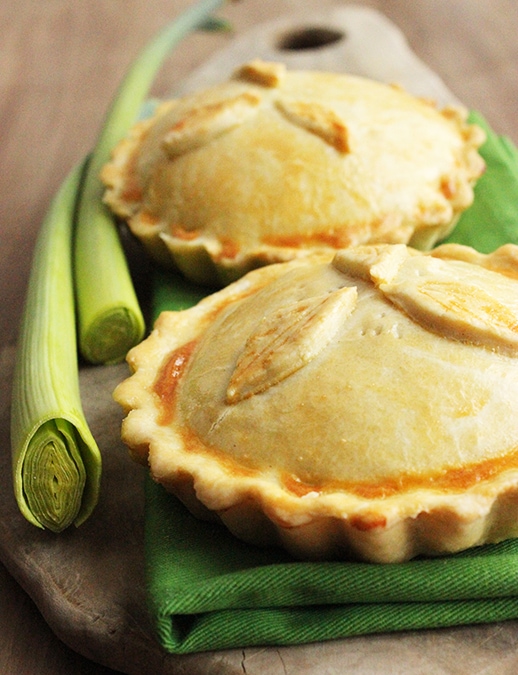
{"x":274,"y":164}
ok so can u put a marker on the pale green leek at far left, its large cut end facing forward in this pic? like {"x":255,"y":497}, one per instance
{"x":56,"y":462}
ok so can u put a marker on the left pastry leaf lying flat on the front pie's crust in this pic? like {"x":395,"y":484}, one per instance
{"x":288,"y":339}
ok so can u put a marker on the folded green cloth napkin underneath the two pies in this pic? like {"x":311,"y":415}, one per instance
{"x":208,"y":591}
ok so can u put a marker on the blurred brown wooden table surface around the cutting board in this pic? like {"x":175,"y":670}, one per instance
{"x":60,"y":62}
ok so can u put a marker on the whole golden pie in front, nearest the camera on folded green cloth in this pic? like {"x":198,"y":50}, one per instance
{"x":361,"y":406}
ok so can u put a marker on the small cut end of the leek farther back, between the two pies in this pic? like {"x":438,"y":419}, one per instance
{"x":111,"y":335}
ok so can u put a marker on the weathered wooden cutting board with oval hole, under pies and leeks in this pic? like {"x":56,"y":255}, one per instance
{"x":89,"y":583}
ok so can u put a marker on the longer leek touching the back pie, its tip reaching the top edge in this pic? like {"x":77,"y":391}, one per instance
{"x":109,"y":317}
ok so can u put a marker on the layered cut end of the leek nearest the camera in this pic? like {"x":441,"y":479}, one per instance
{"x":53,"y":476}
